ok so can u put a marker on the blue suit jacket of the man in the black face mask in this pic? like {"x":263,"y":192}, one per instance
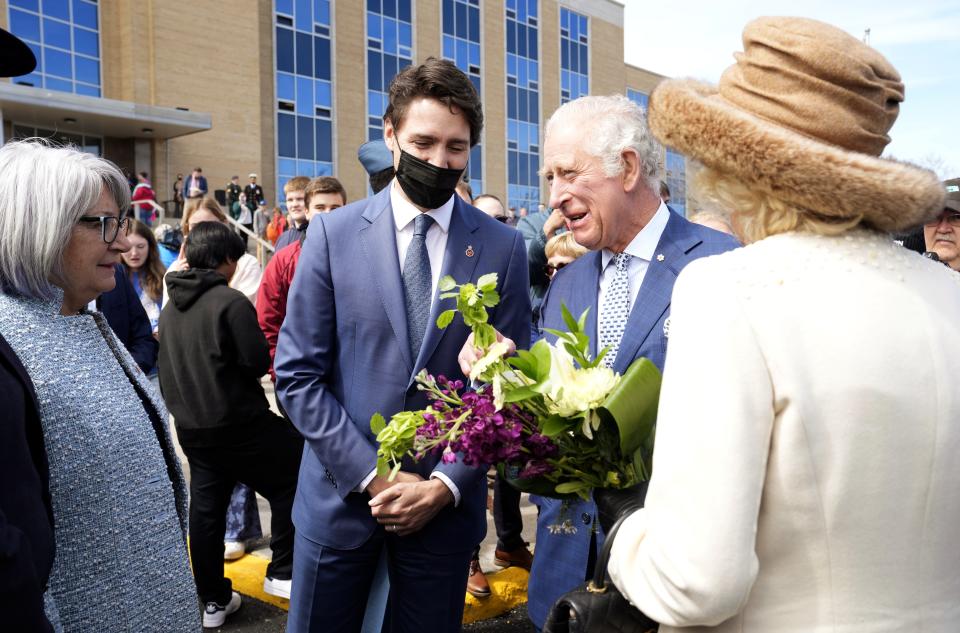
{"x":343,"y":355}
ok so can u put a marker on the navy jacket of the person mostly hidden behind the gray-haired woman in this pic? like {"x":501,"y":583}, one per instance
{"x":129,"y":321}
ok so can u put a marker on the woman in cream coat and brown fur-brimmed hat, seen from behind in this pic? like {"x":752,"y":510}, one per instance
{"x":806,"y":469}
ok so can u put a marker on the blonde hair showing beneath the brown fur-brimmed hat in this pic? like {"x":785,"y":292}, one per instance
{"x":758,"y":214}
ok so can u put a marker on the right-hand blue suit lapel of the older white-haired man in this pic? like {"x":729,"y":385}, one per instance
{"x":657,"y":287}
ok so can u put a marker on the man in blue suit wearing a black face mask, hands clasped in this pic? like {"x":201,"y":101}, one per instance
{"x":360,"y":325}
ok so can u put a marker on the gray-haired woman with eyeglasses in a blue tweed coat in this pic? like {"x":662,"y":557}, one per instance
{"x":117,"y":492}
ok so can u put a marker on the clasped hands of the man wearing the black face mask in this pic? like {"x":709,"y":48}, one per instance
{"x":403,"y":506}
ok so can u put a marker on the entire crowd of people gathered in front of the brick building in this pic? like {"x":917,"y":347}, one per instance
{"x":803,"y":478}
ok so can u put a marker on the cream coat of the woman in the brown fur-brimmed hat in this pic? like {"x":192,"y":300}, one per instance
{"x":807,"y":461}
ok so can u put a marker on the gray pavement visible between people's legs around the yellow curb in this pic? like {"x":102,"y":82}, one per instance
{"x":259,"y":617}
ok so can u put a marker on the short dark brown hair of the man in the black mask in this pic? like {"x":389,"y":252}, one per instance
{"x":436,"y":79}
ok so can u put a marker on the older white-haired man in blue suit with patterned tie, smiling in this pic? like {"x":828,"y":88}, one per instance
{"x":602,"y":166}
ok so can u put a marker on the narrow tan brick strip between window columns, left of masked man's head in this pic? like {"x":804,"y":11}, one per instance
{"x":350,"y":105}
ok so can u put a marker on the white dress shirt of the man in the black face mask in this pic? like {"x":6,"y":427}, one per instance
{"x":404,"y":214}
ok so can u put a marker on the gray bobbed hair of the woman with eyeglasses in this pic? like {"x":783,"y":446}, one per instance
{"x":44,"y":189}
